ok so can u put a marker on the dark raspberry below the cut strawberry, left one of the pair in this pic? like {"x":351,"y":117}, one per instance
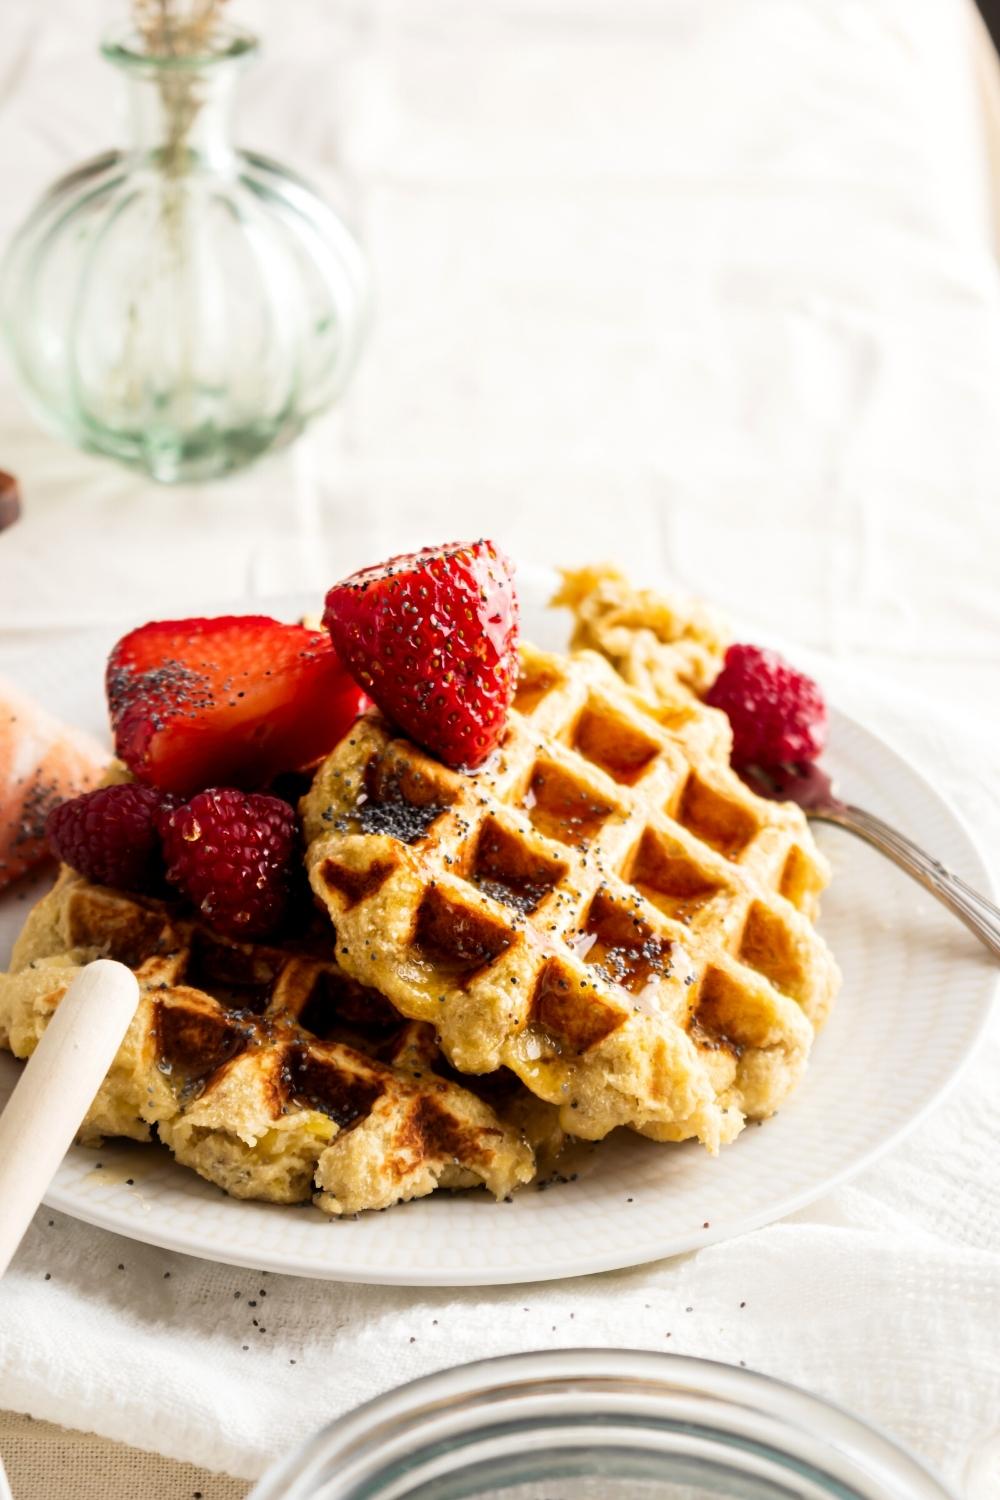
{"x":110,"y":836}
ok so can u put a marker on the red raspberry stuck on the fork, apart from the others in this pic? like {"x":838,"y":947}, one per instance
{"x":779,"y":715}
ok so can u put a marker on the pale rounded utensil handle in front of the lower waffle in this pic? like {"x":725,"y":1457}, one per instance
{"x":58,"y":1088}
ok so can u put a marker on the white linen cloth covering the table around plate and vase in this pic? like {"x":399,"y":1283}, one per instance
{"x":704,"y":287}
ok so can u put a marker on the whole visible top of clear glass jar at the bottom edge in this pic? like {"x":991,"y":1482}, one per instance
{"x":599,"y":1426}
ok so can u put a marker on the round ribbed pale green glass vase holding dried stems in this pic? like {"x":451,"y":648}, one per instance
{"x":182,"y":305}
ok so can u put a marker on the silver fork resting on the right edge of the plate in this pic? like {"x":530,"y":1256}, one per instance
{"x":812,"y":788}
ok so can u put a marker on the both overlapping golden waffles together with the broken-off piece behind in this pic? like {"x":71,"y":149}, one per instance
{"x":600,"y":929}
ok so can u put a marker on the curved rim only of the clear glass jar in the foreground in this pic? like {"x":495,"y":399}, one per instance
{"x":606,"y":1393}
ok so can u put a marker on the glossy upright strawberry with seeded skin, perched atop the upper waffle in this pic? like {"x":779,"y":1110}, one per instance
{"x":433,"y":638}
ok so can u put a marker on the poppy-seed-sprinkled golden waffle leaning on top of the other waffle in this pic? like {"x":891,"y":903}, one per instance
{"x":605,"y":910}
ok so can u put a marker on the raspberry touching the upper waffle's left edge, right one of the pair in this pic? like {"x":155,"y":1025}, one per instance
{"x":233,"y":856}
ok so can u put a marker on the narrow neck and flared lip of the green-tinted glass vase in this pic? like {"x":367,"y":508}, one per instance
{"x":181,"y":104}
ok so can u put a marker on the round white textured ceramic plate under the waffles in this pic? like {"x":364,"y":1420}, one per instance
{"x":914,"y":1004}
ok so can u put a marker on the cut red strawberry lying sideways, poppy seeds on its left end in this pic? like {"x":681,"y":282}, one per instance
{"x":236,"y":700}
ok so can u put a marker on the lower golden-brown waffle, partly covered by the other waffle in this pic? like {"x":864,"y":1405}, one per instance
{"x":265,"y":1069}
